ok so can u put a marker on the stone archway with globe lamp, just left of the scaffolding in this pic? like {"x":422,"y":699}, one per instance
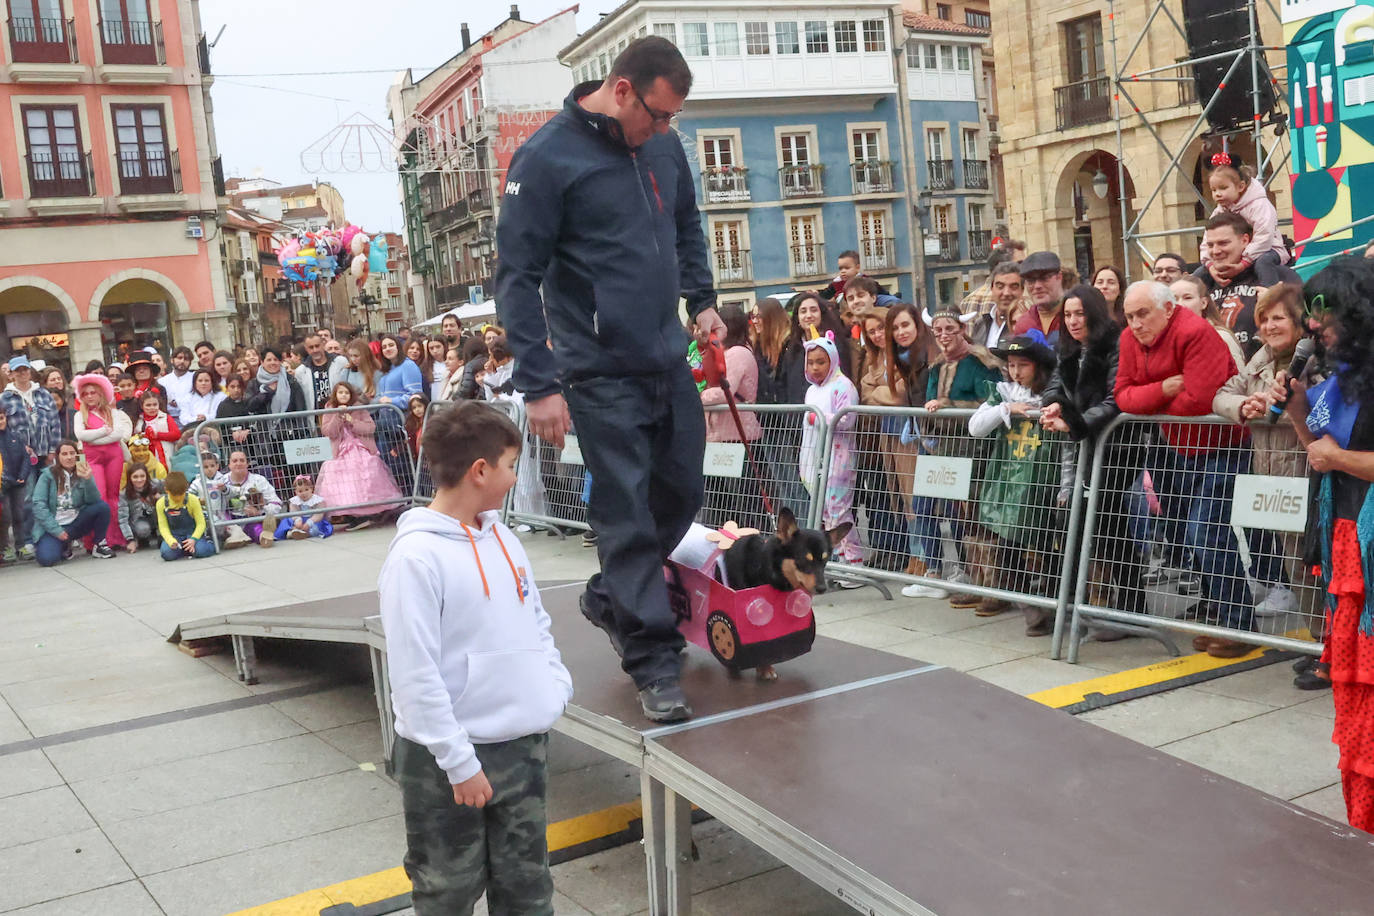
{"x":1092,"y":186}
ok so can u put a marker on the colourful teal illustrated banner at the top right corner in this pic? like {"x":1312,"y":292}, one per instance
{"x":1331,"y":69}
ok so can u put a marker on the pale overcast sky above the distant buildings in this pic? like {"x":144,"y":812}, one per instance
{"x":264,"y":123}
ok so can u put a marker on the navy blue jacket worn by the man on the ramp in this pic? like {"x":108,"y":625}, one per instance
{"x":615,"y":240}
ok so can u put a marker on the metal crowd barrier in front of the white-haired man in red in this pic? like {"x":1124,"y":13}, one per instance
{"x":1203,"y":545}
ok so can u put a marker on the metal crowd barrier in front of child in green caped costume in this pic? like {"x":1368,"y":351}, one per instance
{"x":938,"y":507}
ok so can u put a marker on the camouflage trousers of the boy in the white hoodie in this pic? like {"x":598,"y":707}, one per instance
{"x":455,"y":854}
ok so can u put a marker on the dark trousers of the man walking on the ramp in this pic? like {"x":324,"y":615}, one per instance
{"x":642,"y":439}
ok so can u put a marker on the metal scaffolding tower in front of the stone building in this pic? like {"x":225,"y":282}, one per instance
{"x":1268,"y":128}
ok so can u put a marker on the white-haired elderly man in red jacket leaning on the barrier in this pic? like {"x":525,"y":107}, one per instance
{"x":1173,"y":363}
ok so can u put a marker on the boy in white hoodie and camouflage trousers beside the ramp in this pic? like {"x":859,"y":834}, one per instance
{"x":476,"y":680}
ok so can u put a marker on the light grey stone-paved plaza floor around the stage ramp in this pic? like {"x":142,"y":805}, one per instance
{"x":138,"y":781}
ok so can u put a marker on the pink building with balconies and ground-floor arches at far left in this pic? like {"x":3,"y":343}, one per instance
{"x":109,"y":181}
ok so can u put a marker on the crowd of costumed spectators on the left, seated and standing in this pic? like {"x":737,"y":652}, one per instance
{"x":146,"y":453}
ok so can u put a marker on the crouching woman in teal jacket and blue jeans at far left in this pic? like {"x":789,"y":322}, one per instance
{"x":68,"y":506}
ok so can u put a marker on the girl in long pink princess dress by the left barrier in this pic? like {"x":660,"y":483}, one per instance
{"x":357,"y":473}
